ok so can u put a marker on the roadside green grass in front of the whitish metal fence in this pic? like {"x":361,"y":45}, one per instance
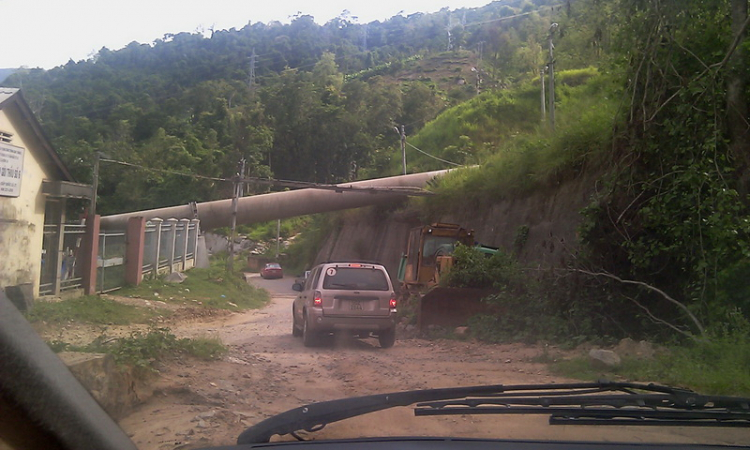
{"x":214,"y":287}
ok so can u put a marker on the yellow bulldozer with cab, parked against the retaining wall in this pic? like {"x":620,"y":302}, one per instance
{"x":429,"y":255}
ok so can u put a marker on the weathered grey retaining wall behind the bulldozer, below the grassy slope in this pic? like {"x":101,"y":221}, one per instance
{"x":540,"y":228}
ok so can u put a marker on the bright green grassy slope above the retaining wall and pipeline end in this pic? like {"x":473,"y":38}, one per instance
{"x":502,"y":132}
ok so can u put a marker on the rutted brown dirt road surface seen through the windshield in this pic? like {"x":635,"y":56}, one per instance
{"x":268,"y":371}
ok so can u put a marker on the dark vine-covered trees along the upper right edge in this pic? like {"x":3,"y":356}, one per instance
{"x":677,"y":203}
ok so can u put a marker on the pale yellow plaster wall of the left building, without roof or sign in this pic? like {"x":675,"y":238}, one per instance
{"x":22,"y":218}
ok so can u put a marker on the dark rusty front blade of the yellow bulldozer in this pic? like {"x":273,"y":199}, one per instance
{"x":451,"y":307}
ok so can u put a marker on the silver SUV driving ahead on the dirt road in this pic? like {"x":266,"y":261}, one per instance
{"x":345,"y":296}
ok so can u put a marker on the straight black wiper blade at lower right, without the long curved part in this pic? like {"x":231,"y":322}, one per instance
{"x":604,"y":403}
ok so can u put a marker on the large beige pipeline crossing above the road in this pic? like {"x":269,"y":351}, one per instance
{"x":282,"y":205}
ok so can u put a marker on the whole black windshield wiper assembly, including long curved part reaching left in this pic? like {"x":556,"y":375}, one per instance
{"x":603,"y":402}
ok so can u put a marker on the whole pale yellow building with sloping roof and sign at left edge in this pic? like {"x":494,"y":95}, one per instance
{"x":34,"y":186}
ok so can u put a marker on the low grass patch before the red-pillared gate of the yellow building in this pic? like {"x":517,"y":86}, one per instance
{"x":90,"y":309}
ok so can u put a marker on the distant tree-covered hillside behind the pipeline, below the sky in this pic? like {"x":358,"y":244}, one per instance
{"x":296,"y":101}
